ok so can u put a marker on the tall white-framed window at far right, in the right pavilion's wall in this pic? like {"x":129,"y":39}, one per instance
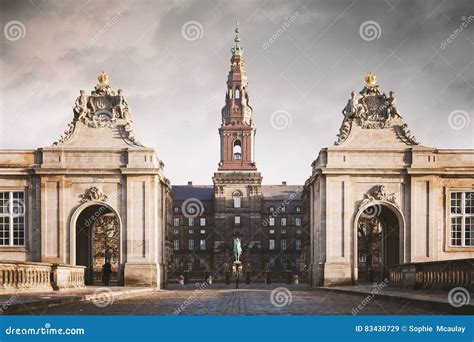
{"x":461,"y":220}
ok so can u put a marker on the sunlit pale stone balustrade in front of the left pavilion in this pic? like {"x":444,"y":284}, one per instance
{"x":18,"y":276}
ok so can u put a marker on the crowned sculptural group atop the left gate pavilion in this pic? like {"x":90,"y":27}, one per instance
{"x":103,"y":108}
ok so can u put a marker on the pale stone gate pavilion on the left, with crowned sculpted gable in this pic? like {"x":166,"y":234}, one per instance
{"x":96,"y":195}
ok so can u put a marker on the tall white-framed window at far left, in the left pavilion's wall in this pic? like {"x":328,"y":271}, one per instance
{"x":12,"y":218}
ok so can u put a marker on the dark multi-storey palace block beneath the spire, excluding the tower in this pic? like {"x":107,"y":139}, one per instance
{"x":269,"y":225}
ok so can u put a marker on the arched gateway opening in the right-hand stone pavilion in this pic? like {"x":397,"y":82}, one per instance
{"x":378,"y":242}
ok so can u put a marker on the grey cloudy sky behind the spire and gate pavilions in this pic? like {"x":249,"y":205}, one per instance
{"x":171,"y":58}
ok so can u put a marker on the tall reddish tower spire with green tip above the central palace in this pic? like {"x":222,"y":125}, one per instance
{"x":237,"y":131}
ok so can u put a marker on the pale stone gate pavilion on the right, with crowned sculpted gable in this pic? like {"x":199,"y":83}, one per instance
{"x":421,"y":197}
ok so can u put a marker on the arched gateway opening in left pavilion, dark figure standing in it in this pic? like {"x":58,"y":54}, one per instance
{"x":98,"y":245}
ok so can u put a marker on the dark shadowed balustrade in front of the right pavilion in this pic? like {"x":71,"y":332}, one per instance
{"x":437,"y":274}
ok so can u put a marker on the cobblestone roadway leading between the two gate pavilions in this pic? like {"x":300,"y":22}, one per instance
{"x":254,"y":300}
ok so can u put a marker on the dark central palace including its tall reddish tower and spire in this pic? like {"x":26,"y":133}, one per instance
{"x":267,"y":218}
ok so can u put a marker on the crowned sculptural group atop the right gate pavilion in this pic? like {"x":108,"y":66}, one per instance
{"x":372,"y":109}
